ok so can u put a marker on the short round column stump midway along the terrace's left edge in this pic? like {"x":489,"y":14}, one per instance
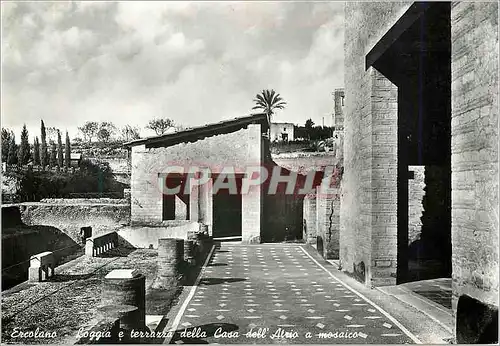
{"x":170,"y":258}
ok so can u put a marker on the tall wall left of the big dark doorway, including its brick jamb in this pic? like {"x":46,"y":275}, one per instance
{"x":368,"y":212}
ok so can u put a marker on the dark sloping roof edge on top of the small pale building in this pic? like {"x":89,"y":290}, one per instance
{"x":200,"y":132}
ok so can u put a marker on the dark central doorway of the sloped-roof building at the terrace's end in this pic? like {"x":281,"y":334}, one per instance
{"x":227,"y":209}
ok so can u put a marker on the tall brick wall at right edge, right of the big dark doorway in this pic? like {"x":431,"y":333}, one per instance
{"x":474,"y":35}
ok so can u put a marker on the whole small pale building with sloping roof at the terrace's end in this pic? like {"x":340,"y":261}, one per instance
{"x":234,"y":144}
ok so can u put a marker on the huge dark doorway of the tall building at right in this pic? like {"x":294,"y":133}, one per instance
{"x":418,"y":62}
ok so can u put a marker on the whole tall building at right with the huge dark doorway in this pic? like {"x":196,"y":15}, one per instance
{"x":420,"y":182}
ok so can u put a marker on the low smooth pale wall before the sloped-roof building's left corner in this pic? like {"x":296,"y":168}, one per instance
{"x":147,"y":236}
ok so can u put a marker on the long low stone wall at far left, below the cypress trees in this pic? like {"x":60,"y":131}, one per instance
{"x":70,"y":215}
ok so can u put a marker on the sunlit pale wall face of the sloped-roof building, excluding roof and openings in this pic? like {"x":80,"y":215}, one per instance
{"x":237,"y":150}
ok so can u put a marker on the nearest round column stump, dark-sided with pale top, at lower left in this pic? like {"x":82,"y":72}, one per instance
{"x":124,"y":288}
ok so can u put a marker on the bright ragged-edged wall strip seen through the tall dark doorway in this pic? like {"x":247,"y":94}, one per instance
{"x":416,"y":194}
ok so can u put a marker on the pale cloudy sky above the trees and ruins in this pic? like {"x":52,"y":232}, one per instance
{"x":195,"y":63}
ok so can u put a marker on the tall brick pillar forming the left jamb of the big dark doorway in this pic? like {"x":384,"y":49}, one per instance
{"x":384,"y":181}
